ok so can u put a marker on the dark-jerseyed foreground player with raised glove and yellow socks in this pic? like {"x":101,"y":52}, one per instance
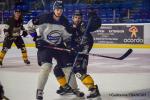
{"x":80,"y":68}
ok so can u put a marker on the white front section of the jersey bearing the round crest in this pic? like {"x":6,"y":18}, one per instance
{"x":52,"y":33}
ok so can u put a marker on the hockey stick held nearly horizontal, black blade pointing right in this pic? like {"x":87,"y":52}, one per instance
{"x":125,"y":55}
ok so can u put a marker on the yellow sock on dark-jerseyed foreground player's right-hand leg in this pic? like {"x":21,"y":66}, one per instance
{"x":88,"y":81}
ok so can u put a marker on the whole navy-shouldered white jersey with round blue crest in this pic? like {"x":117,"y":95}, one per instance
{"x":51,"y":31}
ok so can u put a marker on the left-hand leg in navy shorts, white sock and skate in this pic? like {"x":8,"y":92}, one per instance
{"x":45,"y":61}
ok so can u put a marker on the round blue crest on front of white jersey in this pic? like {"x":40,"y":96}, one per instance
{"x":54,"y":37}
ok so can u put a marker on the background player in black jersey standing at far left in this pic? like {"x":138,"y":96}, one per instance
{"x":12,"y":33}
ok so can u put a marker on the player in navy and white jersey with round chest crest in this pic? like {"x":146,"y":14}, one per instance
{"x":52,"y":31}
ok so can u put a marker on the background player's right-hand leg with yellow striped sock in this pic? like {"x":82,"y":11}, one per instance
{"x":21,"y":45}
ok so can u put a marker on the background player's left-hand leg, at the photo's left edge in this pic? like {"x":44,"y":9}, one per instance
{"x":6,"y":45}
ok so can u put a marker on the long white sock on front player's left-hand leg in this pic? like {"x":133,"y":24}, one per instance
{"x":43,"y":76}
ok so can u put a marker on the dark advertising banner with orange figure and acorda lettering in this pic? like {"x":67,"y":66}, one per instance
{"x":119,"y":34}
